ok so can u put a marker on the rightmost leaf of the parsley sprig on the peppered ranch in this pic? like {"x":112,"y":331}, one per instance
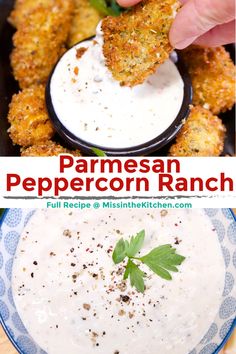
{"x":163,"y":259}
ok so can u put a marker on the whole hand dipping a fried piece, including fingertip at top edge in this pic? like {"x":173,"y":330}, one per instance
{"x":203,"y":22}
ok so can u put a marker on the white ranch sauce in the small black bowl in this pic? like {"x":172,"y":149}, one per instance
{"x":94,"y":107}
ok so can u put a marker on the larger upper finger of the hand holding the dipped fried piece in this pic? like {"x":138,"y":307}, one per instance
{"x":198,"y":17}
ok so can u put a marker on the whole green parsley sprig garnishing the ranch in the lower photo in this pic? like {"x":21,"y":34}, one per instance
{"x":161,"y":260}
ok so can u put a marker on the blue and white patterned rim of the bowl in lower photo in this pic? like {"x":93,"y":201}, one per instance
{"x":11,"y":226}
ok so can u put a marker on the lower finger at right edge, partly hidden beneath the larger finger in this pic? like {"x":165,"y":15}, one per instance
{"x":220,"y":35}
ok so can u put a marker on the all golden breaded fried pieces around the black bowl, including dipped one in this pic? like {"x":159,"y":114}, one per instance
{"x":135,"y":44}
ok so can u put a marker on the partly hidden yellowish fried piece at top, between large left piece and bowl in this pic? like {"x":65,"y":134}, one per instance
{"x":84,"y":22}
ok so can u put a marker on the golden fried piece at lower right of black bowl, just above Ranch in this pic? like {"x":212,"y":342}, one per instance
{"x":202,"y":135}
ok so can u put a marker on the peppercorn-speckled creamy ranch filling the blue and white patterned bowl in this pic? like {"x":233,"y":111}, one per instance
{"x":70,"y":294}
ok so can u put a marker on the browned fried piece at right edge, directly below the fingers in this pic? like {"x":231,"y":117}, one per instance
{"x":213,"y":77}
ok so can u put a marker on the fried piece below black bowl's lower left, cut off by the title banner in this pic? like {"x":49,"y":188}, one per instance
{"x":49,"y":148}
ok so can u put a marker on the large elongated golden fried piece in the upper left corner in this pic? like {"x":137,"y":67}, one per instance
{"x":39,"y":43}
